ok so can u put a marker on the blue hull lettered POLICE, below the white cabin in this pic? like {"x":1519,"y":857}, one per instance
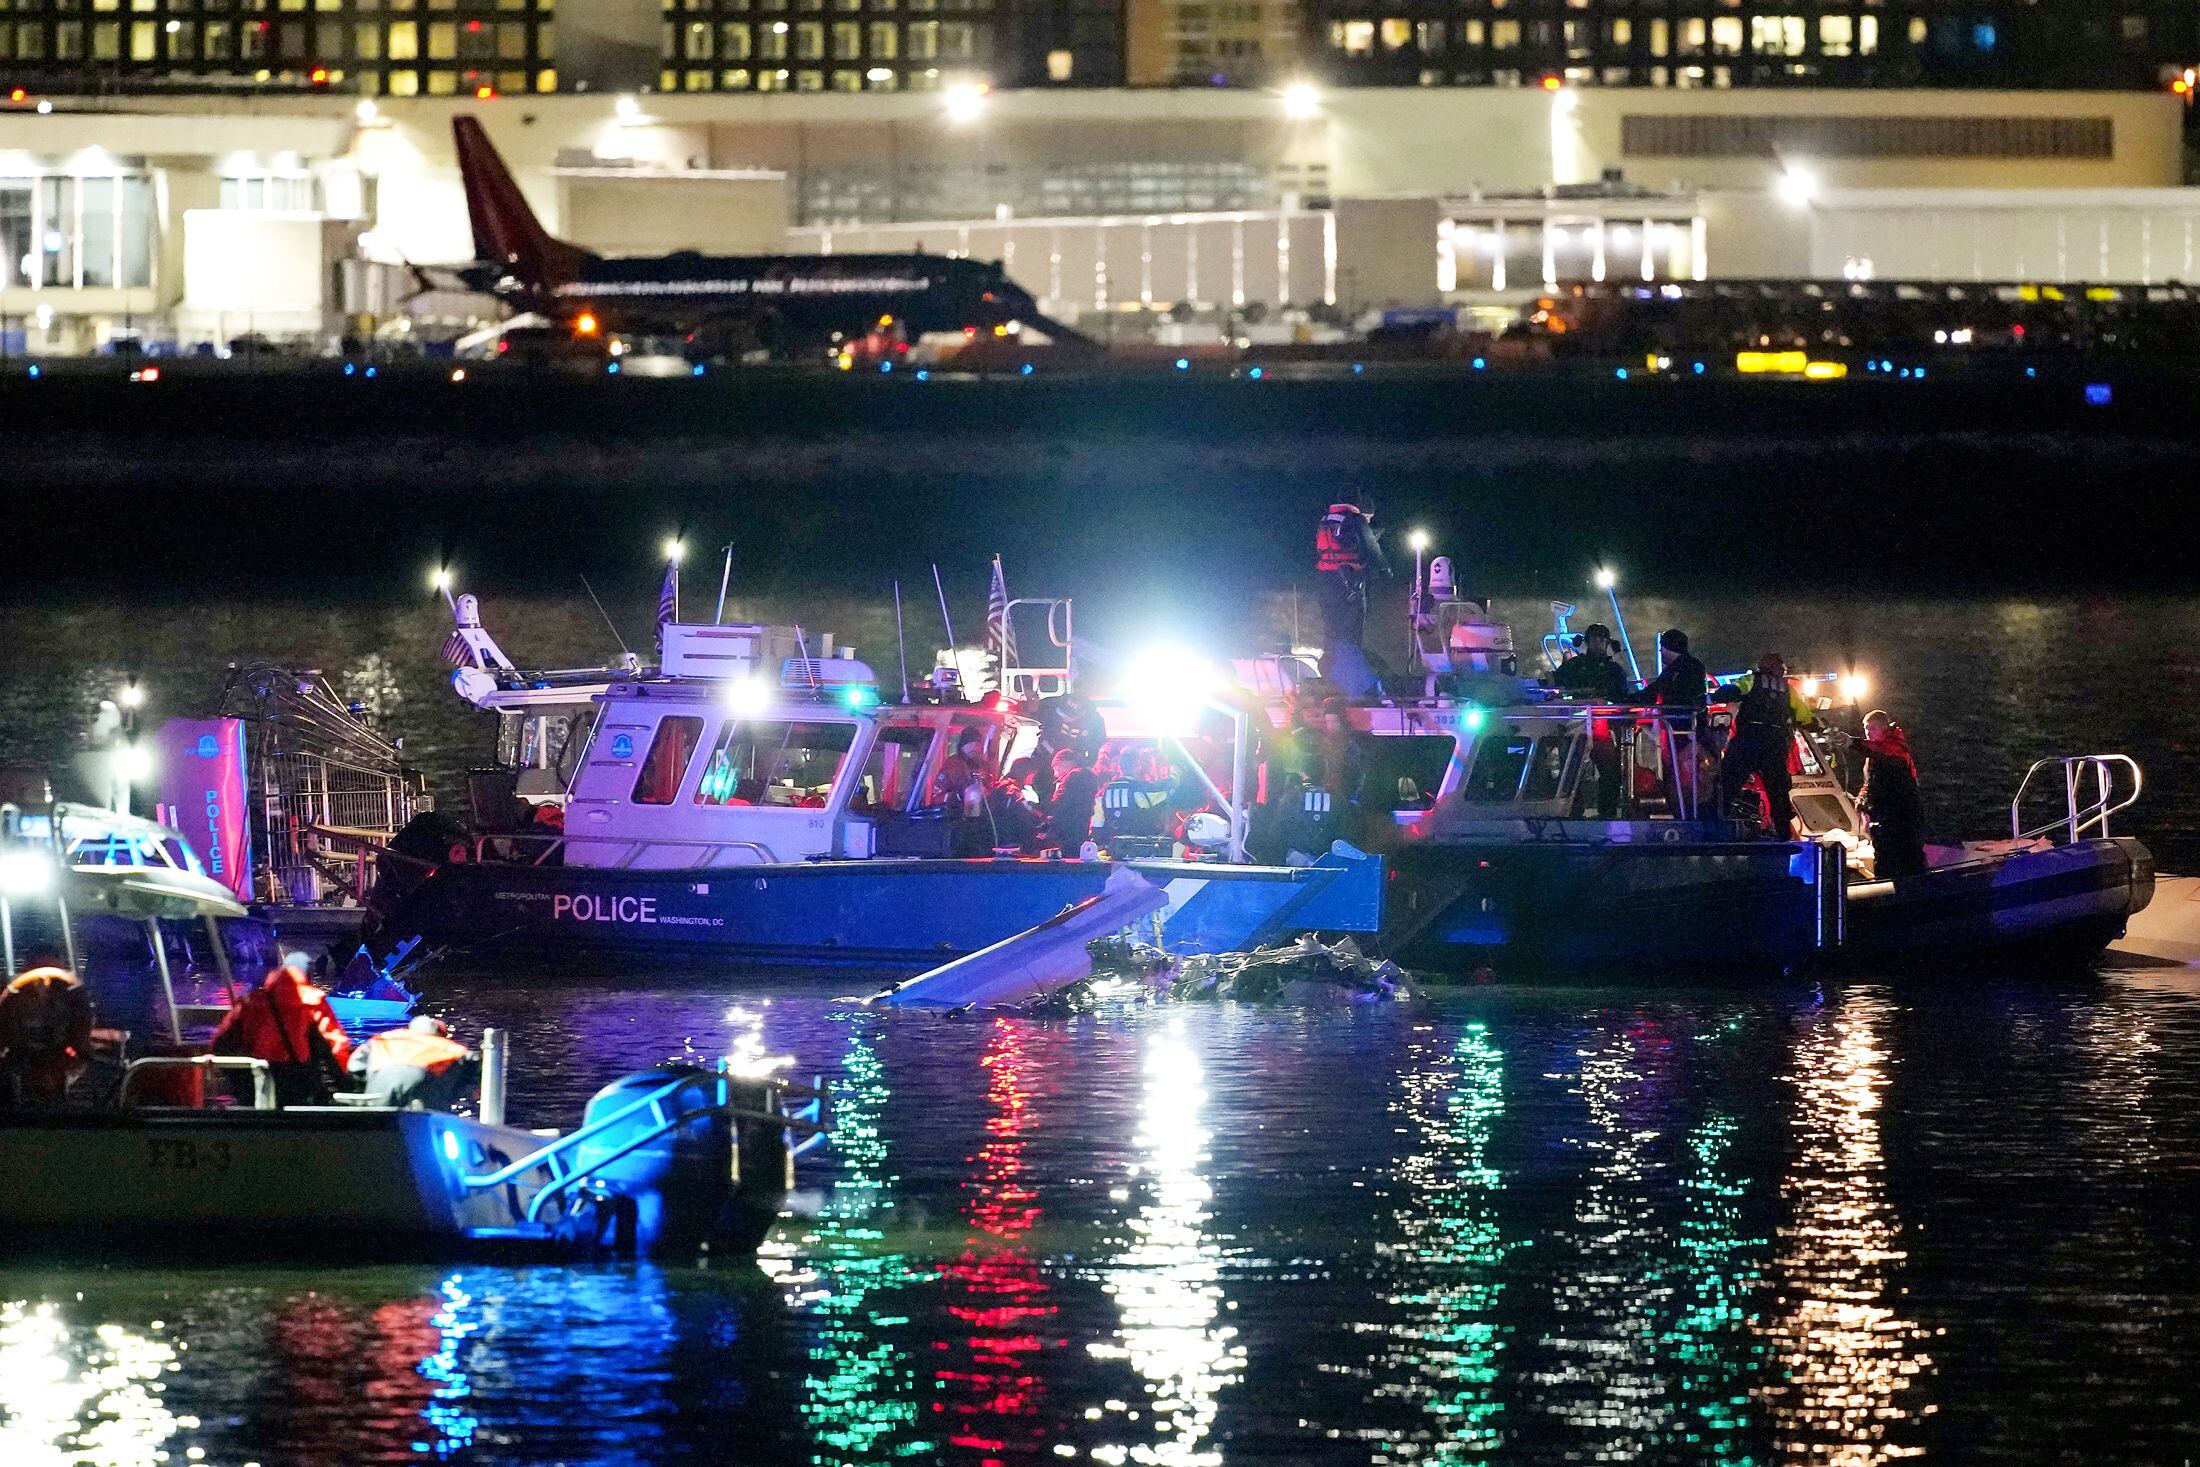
{"x":894,"y":916}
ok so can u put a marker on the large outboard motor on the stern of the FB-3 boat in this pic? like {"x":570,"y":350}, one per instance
{"x":712,"y":1182}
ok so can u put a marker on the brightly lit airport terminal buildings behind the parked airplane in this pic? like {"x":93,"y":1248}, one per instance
{"x":210,"y":173}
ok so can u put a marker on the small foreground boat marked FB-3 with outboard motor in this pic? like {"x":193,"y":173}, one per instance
{"x":665,"y":1162}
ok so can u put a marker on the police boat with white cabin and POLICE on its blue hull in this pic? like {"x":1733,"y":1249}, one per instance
{"x":756,"y":799}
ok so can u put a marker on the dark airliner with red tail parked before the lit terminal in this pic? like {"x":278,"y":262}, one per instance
{"x":784,"y":305}
